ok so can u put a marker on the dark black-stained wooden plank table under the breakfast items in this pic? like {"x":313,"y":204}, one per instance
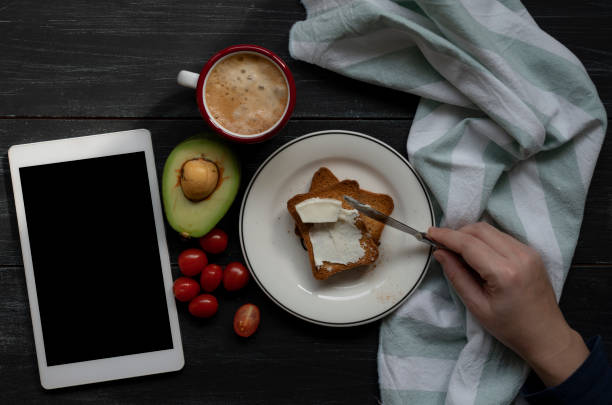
{"x":76,"y":68}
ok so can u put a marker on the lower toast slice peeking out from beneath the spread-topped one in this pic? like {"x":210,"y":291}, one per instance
{"x":324,"y":178}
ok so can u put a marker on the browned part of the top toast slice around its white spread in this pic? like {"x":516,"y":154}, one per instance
{"x":336,"y":191}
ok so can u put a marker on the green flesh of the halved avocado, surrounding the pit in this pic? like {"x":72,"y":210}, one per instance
{"x":195,"y":219}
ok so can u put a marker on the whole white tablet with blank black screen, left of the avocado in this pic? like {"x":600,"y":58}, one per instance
{"x":95,"y":257}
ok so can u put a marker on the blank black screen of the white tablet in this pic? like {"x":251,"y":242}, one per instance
{"x":96,"y":258}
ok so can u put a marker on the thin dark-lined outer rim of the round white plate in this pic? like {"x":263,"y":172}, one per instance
{"x":246,"y":257}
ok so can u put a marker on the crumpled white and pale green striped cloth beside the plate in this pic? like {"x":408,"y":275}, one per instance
{"x":508,"y":129}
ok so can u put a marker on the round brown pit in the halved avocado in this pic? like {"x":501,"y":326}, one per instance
{"x":199,"y":178}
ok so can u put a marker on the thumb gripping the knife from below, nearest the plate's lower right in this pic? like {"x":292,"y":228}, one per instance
{"x":468,"y":288}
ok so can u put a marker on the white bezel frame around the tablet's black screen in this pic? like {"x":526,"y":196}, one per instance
{"x":86,"y":147}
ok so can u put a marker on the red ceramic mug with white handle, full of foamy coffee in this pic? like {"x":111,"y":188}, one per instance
{"x":231,"y":110}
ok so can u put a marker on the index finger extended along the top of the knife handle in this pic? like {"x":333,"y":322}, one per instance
{"x":480,"y":256}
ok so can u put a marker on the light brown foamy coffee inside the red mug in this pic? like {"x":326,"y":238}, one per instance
{"x":246,"y":93}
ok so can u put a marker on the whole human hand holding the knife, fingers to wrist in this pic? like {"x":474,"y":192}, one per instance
{"x":504,"y":284}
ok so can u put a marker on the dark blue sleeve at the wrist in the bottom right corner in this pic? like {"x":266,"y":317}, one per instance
{"x":590,"y":384}
